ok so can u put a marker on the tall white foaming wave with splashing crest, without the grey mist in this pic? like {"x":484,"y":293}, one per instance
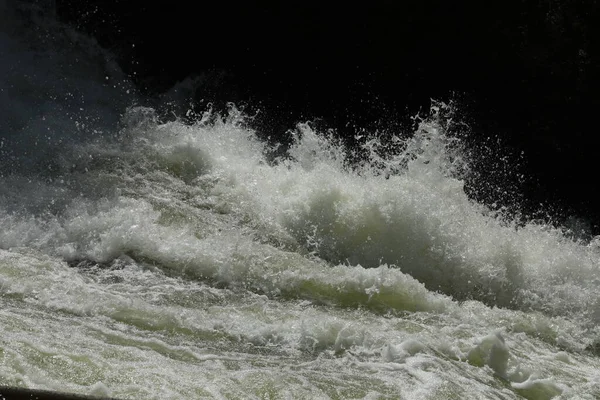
{"x":203,"y":201}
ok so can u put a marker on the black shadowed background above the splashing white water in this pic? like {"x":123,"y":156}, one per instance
{"x":524,"y":71}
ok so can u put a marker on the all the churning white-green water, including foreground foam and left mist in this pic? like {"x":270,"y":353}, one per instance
{"x":142,"y":259}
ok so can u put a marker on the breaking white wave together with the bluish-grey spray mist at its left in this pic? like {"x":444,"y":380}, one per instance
{"x":83,"y":179}
